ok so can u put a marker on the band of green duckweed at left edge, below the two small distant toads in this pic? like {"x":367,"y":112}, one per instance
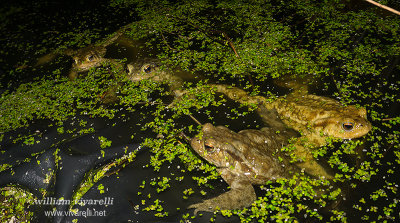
{"x":51,"y":98}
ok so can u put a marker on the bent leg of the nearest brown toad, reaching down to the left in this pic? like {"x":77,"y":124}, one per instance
{"x":241,"y":195}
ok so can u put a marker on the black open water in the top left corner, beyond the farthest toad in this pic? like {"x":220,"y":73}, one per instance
{"x":31,"y":29}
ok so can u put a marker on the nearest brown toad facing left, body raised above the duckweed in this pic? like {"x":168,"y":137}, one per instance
{"x":243,"y":159}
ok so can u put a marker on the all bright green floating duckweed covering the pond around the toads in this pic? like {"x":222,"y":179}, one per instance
{"x":353,"y":51}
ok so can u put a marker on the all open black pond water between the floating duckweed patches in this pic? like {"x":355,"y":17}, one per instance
{"x":59,"y":161}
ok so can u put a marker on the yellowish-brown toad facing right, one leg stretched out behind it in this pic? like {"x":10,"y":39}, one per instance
{"x":315,"y":117}
